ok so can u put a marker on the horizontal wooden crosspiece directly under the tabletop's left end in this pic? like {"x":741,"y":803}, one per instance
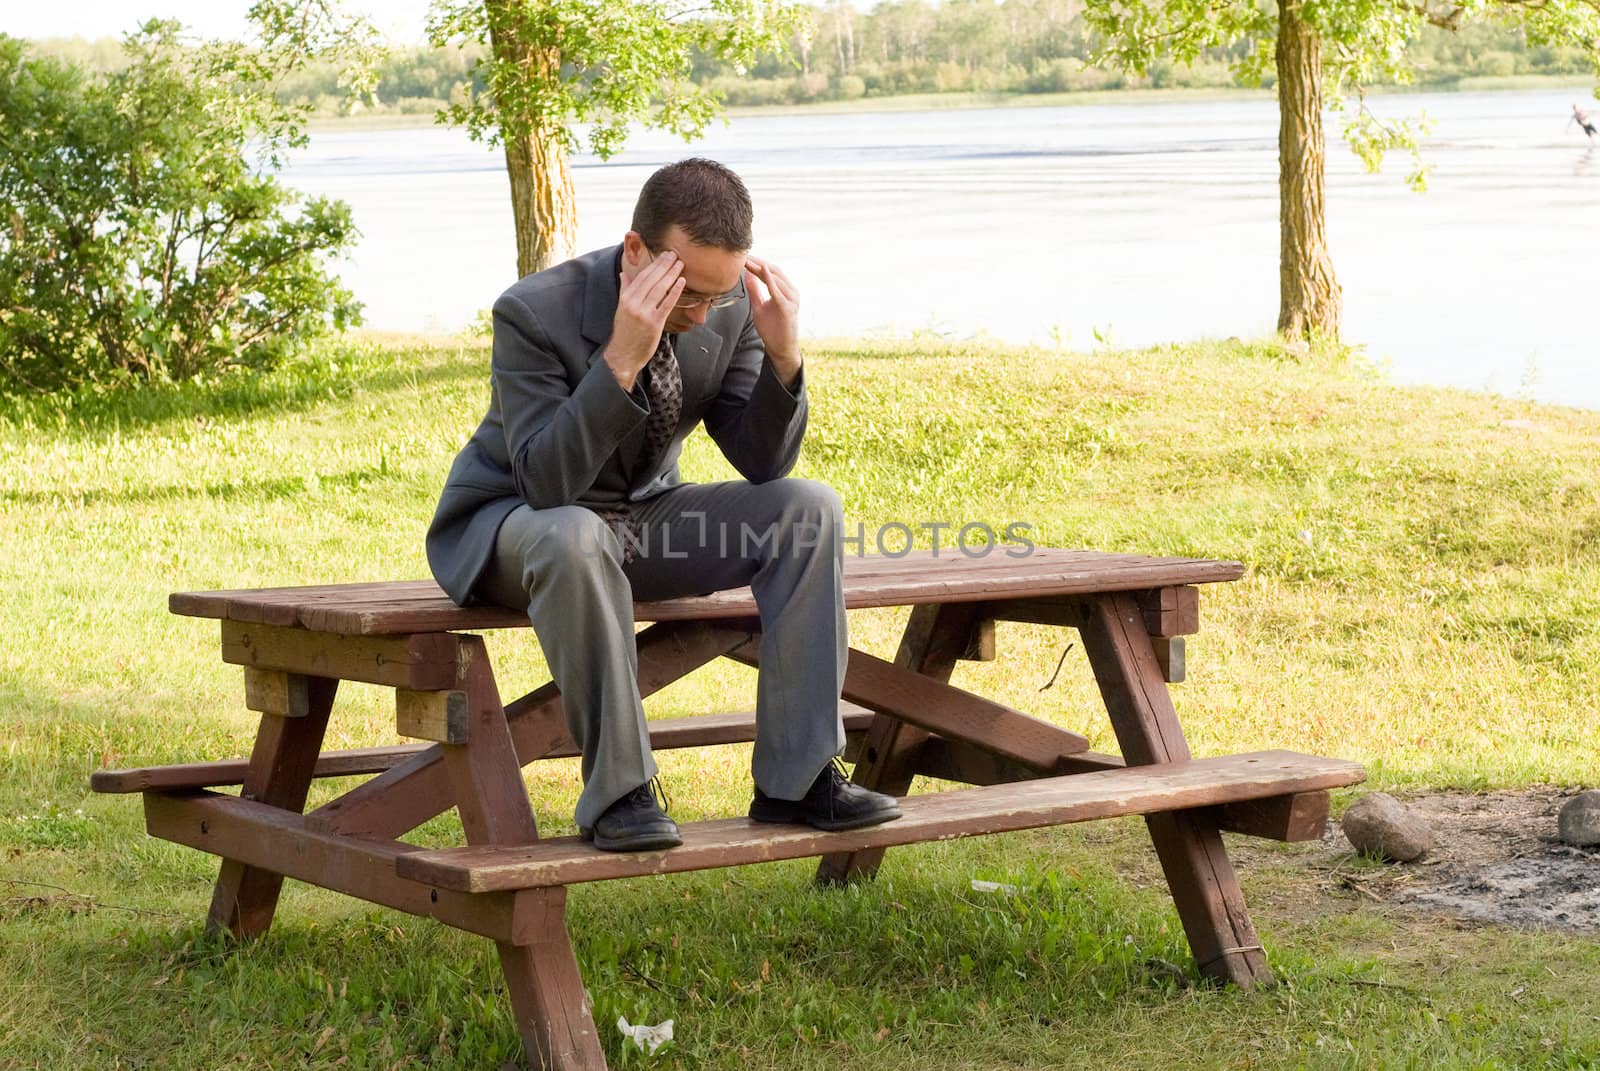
{"x":410,"y":662}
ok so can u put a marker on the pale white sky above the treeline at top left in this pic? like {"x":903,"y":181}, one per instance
{"x":401,"y":20}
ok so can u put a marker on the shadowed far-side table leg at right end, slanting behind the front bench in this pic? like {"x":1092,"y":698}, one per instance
{"x":937,"y":636}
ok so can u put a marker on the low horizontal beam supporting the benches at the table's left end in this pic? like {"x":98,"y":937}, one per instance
{"x":278,"y":841}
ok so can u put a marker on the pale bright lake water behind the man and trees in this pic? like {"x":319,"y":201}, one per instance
{"x":1143,"y":223}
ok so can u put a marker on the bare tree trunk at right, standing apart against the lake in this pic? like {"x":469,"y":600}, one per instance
{"x":1308,"y":294}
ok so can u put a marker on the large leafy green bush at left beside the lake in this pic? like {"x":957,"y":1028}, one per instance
{"x":137,"y":241}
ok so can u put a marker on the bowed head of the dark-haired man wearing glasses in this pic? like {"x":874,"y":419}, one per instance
{"x":700,"y":211}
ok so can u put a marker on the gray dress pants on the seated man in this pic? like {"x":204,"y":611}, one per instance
{"x":566,"y":566}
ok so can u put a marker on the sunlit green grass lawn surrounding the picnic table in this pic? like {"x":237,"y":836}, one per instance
{"x":1423,"y":595}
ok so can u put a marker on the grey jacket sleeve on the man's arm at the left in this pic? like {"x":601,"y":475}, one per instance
{"x":558,"y":436}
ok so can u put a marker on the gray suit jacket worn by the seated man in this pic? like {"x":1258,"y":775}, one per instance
{"x":562,"y":431}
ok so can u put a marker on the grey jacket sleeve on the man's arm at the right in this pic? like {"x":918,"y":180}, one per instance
{"x":756,"y":420}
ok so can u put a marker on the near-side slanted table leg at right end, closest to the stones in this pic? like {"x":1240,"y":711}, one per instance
{"x":1190,"y":846}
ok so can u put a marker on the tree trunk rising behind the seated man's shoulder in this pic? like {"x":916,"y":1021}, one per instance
{"x":545,"y":209}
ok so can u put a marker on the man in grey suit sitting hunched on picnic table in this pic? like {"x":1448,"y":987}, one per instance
{"x":567,"y":502}
